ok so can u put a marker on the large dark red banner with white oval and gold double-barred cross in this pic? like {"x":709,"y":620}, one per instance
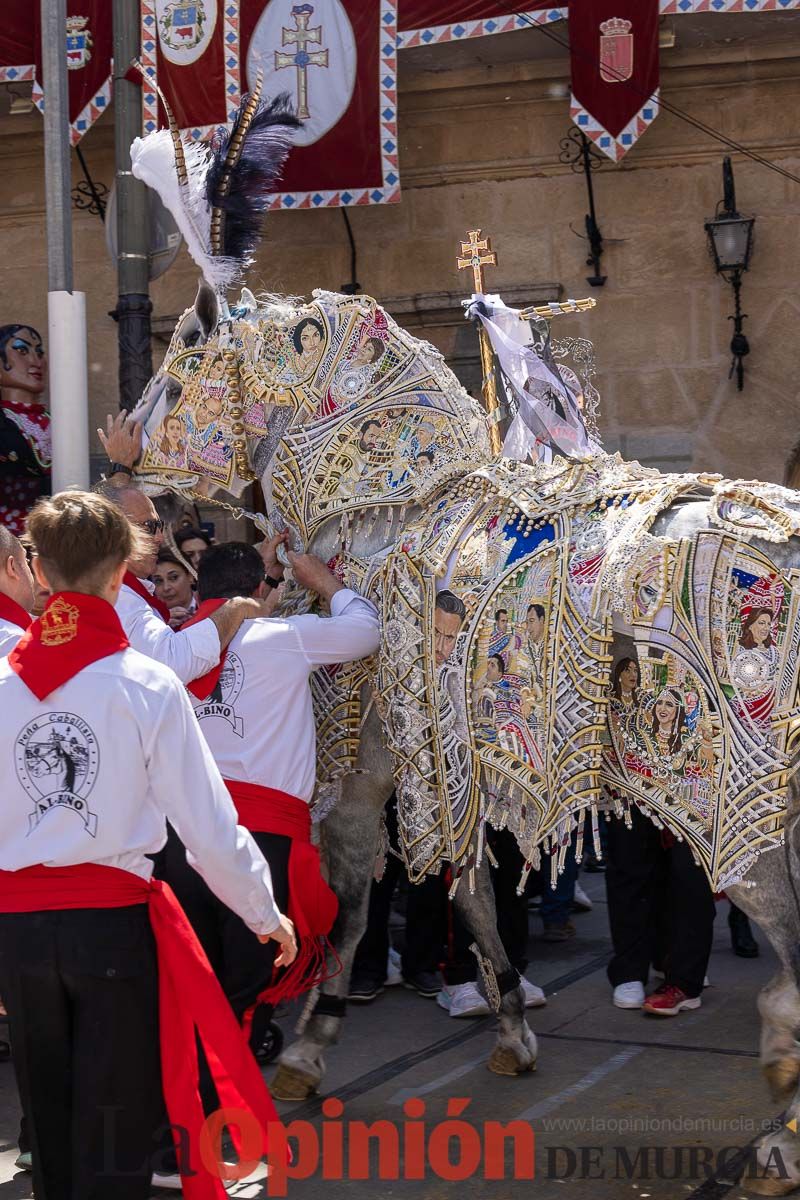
{"x":338,"y":62}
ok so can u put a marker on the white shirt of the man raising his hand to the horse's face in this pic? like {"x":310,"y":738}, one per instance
{"x":189,"y":652}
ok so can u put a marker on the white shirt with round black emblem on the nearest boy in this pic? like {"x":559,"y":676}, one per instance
{"x":93,"y":773}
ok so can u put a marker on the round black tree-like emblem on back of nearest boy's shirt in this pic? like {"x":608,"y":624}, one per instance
{"x":57,"y":760}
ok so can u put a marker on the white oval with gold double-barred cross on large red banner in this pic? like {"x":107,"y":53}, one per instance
{"x":309,"y":51}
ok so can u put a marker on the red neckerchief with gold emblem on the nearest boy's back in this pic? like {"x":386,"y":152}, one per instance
{"x":74,"y":632}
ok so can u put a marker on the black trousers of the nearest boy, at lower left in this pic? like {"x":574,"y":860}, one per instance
{"x":82,"y":993}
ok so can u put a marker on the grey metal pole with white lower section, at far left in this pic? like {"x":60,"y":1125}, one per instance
{"x":67,"y":310}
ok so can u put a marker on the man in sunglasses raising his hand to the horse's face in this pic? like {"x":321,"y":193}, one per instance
{"x":189,"y":652}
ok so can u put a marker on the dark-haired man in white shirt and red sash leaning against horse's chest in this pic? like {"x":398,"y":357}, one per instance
{"x":256,"y":713}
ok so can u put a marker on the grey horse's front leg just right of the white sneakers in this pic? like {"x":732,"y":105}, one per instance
{"x":516,"y":1046}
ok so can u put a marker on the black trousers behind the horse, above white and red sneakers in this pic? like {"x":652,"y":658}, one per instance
{"x":661,"y":908}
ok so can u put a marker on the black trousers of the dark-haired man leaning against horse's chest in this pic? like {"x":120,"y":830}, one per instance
{"x":242,"y":964}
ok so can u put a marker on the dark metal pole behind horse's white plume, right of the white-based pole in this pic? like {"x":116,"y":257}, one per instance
{"x":134,"y":305}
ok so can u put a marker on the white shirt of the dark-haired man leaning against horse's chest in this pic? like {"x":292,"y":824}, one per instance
{"x":260,"y":721}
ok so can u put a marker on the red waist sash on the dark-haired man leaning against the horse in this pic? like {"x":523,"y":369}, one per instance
{"x":312,"y":904}
